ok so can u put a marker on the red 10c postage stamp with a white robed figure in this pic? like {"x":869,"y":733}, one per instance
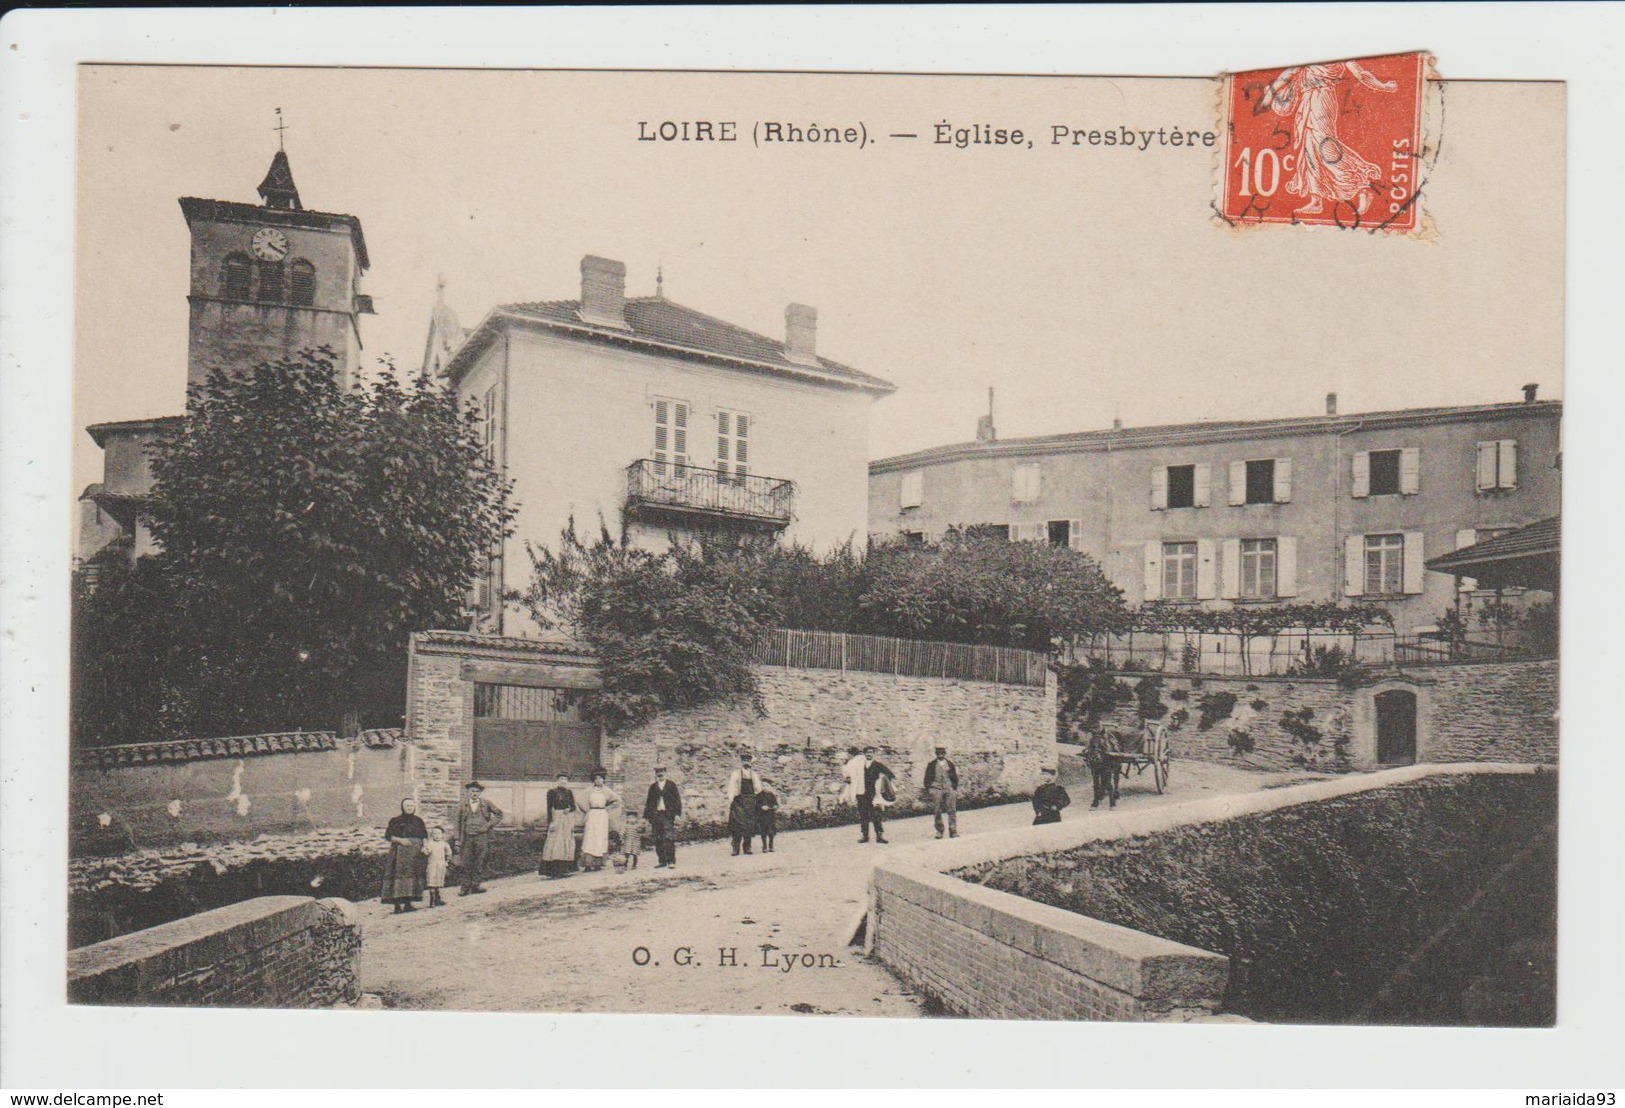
{"x":1335,"y":144}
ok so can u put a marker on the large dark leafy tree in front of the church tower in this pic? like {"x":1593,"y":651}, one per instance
{"x":305,"y":534}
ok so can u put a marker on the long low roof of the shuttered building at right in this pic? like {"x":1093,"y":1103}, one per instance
{"x":1213,"y":431}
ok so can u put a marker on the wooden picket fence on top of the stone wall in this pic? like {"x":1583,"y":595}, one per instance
{"x":904,"y":657}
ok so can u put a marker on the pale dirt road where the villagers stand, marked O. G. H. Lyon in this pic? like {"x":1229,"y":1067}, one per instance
{"x":719,"y":935}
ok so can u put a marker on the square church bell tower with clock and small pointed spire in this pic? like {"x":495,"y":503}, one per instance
{"x":274,"y":279}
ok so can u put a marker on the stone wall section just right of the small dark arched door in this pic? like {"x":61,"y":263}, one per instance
{"x":1493,"y":712}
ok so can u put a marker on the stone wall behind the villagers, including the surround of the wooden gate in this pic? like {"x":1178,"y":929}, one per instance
{"x":1000,"y":737}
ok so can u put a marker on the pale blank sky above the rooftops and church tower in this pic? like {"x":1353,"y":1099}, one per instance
{"x":1081,"y":285}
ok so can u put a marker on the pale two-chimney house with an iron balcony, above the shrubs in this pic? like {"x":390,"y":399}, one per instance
{"x":657,"y":420}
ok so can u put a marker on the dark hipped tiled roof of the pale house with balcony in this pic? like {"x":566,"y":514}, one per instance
{"x":656,"y":321}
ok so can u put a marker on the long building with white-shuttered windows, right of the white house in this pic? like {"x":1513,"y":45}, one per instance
{"x":1333,"y":508}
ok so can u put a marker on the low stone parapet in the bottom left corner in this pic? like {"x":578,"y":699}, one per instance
{"x":264,"y":953}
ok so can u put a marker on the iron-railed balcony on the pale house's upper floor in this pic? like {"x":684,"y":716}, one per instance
{"x":687,"y":495}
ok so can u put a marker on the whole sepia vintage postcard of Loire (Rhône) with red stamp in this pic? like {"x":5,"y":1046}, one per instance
{"x":1034,"y":548}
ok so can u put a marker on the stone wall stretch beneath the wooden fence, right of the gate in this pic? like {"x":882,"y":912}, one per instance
{"x":999,"y":737}
